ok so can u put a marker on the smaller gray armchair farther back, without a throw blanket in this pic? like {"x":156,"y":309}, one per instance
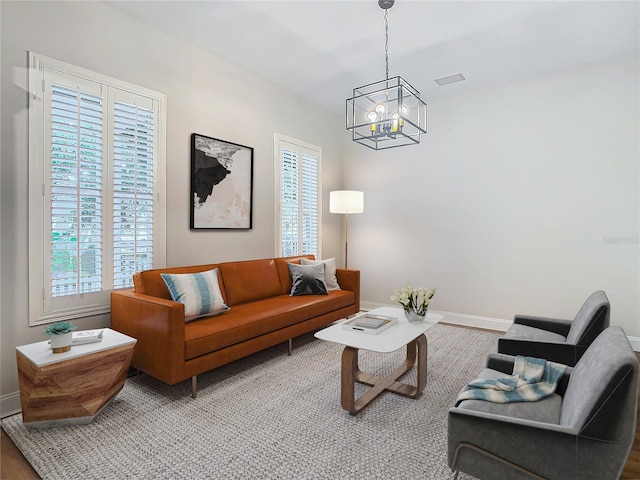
{"x":562,"y":341}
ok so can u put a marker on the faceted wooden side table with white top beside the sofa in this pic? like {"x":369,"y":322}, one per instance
{"x":71,"y":388}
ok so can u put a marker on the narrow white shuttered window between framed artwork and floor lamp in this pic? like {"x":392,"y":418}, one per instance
{"x":299,"y":197}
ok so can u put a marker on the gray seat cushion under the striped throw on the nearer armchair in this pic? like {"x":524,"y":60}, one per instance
{"x":547,"y":410}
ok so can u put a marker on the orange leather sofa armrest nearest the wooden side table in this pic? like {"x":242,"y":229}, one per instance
{"x":158,"y":325}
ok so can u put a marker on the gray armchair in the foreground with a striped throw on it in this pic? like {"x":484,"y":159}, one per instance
{"x":583,"y":431}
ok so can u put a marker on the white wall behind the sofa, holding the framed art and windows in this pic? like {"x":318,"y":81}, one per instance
{"x":204,"y":95}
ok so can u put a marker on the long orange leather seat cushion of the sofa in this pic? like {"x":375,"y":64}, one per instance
{"x":250,"y":320}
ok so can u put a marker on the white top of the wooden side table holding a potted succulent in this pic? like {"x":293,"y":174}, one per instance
{"x":40,"y":353}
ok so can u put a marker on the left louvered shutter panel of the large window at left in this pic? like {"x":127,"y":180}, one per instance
{"x":76,"y":191}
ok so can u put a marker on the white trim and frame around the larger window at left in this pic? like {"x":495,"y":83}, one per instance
{"x":37,"y":243}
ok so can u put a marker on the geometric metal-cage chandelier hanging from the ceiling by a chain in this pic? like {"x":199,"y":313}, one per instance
{"x":388,"y":113}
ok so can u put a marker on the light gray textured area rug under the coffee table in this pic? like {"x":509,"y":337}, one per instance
{"x":269,"y":416}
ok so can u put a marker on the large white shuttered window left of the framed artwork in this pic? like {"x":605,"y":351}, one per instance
{"x":96,"y":188}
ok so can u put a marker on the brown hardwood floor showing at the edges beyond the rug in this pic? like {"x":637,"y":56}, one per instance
{"x":13,"y":466}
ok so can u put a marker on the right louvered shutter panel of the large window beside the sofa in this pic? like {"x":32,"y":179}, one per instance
{"x":133,"y":215}
